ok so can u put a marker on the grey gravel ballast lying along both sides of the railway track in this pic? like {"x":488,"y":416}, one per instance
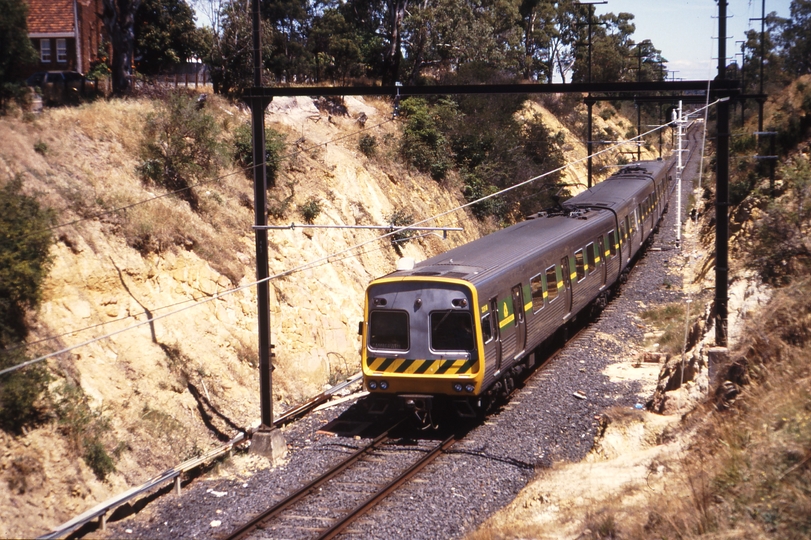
{"x":543,"y":423}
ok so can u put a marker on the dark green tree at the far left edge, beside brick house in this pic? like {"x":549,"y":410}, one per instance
{"x":16,"y":51}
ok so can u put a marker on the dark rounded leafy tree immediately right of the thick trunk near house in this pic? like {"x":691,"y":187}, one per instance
{"x":166,"y":35}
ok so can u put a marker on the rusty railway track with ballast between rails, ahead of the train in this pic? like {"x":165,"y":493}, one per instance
{"x":330,"y":503}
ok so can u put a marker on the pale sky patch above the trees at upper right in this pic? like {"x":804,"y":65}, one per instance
{"x":686,"y":31}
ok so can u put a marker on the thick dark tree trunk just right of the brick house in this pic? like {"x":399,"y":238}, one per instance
{"x":119,"y":19}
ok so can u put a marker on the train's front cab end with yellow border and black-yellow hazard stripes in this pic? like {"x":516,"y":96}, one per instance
{"x":422,"y":340}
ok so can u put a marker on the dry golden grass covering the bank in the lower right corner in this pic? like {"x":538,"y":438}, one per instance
{"x":748,"y":474}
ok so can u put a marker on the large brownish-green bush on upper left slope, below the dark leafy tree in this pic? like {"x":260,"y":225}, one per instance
{"x":180,"y":147}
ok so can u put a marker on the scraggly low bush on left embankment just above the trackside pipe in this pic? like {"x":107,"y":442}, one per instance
{"x":84,"y":428}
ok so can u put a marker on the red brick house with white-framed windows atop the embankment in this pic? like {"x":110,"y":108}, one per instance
{"x":66,"y":33}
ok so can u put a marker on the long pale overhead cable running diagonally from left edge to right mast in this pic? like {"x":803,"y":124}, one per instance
{"x":326,"y":258}
